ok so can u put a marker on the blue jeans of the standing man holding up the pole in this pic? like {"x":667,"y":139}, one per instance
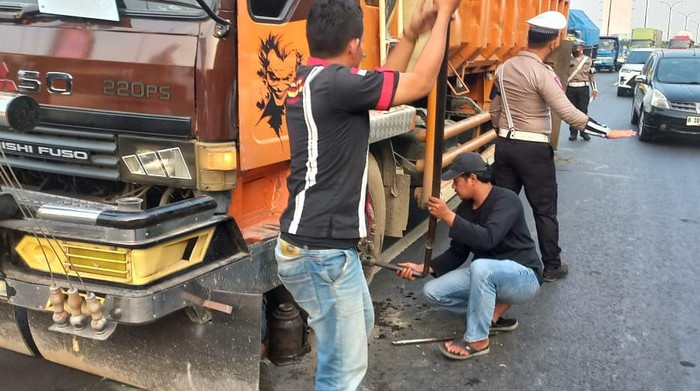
{"x":330,"y":286}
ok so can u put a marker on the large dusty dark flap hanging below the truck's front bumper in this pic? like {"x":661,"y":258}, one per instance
{"x":220,"y":352}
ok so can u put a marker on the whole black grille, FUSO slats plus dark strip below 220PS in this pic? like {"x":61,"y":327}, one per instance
{"x":88,"y":132}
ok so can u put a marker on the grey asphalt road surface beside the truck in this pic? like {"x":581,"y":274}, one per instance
{"x":626,"y":317}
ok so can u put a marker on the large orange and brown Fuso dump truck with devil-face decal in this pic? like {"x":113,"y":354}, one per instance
{"x":144,"y":153}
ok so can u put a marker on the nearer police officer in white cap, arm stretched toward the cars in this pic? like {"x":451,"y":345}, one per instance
{"x":524,"y":91}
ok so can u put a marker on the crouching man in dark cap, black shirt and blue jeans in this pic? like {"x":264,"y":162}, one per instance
{"x":490,"y":224}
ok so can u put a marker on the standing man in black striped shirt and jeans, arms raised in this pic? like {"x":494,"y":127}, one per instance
{"x":328,"y":122}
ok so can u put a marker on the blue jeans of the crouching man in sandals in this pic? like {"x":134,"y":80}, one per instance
{"x":477,"y":288}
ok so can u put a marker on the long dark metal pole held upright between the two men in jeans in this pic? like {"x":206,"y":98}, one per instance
{"x":439,"y":95}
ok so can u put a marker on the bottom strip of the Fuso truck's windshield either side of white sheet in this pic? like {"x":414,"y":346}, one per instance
{"x":185,"y":8}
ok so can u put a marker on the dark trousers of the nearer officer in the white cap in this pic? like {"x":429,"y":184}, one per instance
{"x":529,"y":164}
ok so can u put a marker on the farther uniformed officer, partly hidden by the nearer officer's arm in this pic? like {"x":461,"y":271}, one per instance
{"x":581,"y":79}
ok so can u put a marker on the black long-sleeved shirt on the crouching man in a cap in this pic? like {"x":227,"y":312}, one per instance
{"x":495,"y":230}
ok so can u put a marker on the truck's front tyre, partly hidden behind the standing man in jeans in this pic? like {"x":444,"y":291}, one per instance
{"x":377,"y":215}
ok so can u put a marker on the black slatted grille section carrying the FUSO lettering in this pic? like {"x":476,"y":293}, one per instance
{"x":101,"y":145}
